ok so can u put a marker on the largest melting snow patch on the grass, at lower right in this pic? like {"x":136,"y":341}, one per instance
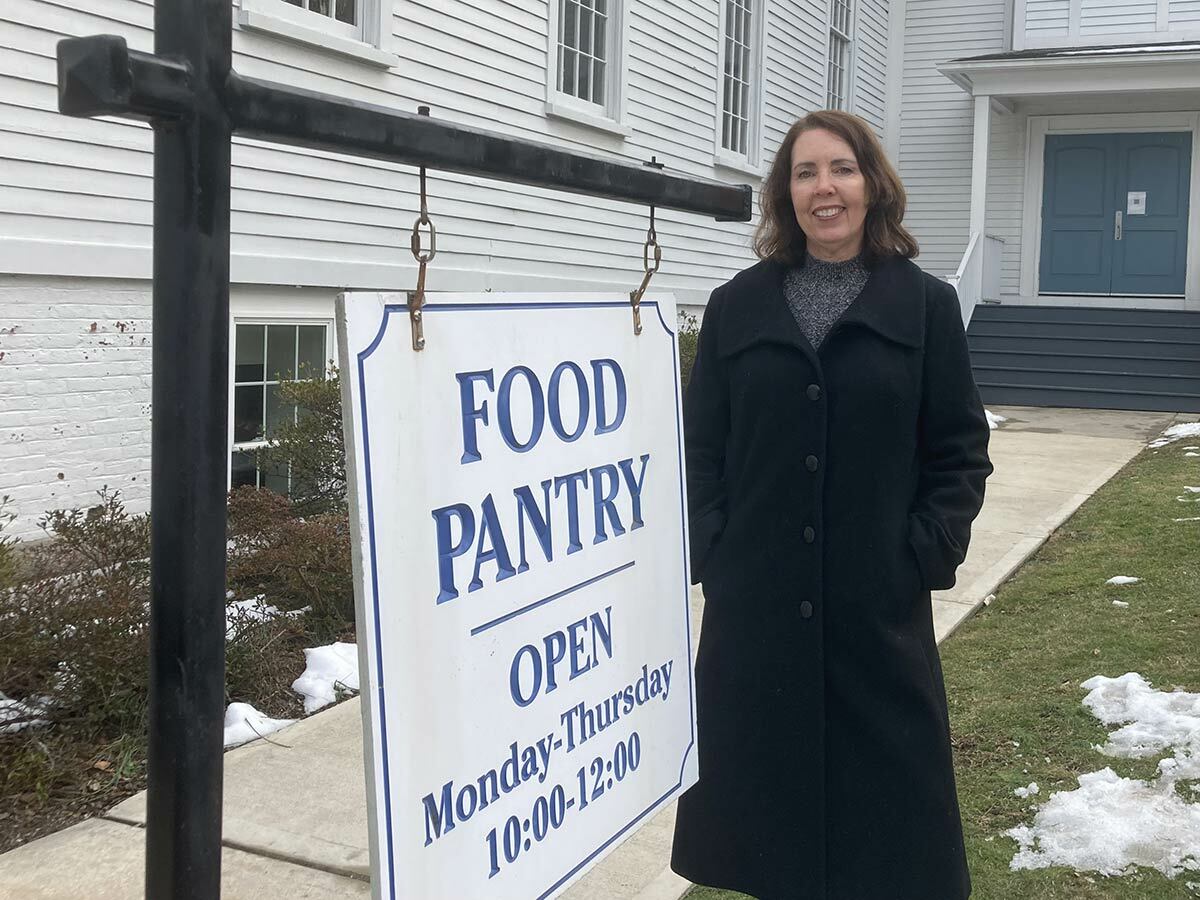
{"x":1111,"y":823}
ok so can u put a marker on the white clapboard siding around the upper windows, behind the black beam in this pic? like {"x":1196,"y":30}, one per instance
{"x":303,"y":214}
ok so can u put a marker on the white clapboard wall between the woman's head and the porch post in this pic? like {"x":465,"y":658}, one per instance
{"x":937,"y":123}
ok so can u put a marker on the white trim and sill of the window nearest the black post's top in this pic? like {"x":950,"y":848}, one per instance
{"x":284,"y":21}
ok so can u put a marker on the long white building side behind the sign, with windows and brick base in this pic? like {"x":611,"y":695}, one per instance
{"x":709,"y":87}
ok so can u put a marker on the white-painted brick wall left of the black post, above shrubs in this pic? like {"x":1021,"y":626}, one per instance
{"x":75,"y":394}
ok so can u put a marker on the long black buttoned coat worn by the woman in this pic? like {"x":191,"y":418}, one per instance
{"x":829,"y":494}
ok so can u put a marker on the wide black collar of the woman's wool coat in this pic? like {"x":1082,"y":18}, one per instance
{"x":891,"y":305}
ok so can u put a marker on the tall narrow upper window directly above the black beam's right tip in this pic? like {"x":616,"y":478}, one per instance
{"x":741,"y":52}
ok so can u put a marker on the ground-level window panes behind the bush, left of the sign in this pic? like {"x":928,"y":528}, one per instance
{"x":266,"y":355}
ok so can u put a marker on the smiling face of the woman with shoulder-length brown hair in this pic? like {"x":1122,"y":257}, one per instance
{"x":829,"y":195}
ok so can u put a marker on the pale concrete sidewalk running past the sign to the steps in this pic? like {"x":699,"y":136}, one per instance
{"x":296,"y":811}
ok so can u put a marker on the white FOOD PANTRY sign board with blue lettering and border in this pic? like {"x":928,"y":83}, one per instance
{"x":518,"y":499}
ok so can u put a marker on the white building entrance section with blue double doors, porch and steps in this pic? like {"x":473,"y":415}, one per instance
{"x":1049,"y":149}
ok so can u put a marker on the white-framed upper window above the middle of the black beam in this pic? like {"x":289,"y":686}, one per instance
{"x":587,"y":64}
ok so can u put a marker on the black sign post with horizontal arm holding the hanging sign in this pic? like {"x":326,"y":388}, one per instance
{"x":196,"y":103}
